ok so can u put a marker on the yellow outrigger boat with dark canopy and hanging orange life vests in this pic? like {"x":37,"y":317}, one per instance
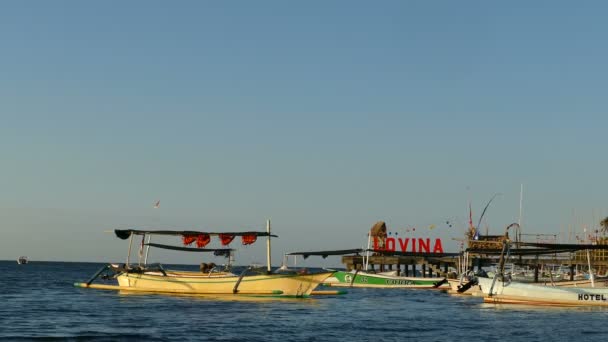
{"x":251,"y":281}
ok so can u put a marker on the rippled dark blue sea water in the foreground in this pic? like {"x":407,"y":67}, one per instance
{"x":38,"y":302}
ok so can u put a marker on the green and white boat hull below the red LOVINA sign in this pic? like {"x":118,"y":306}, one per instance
{"x":365,"y":279}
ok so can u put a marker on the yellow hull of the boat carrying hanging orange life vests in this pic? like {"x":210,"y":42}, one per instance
{"x":292,"y":285}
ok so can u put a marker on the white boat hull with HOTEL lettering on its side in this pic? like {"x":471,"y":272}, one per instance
{"x":522,"y":293}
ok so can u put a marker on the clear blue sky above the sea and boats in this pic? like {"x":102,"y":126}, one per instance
{"x":323,"y":116}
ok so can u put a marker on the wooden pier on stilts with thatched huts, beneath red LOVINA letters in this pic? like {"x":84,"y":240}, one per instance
{"x":482,"y":251}
